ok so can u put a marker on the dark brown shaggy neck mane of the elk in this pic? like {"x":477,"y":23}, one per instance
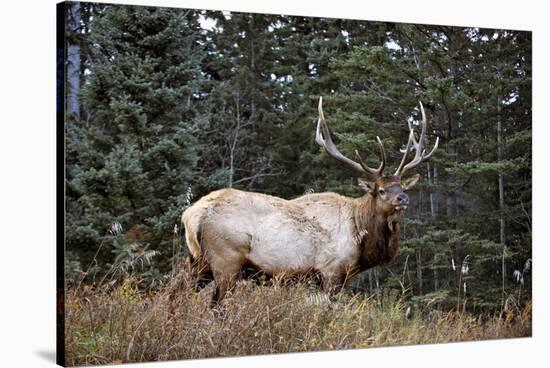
{"x":378,"y":233}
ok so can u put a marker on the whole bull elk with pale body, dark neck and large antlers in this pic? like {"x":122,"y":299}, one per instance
{"x":326,"y":233}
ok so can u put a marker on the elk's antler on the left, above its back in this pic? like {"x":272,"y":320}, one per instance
{"x":323,"y":138}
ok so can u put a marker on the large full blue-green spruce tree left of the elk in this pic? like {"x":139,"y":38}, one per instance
{"x":132,"y":156}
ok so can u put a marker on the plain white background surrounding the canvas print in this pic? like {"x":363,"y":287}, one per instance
{"x":27,"y":192}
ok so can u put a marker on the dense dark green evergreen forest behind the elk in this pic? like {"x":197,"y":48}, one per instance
{"x":165,"y":105}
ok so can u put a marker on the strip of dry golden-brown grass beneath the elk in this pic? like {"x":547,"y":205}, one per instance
{"x":125,"y":325}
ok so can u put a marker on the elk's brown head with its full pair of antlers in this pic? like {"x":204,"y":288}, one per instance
{"x":387,"y":191}
